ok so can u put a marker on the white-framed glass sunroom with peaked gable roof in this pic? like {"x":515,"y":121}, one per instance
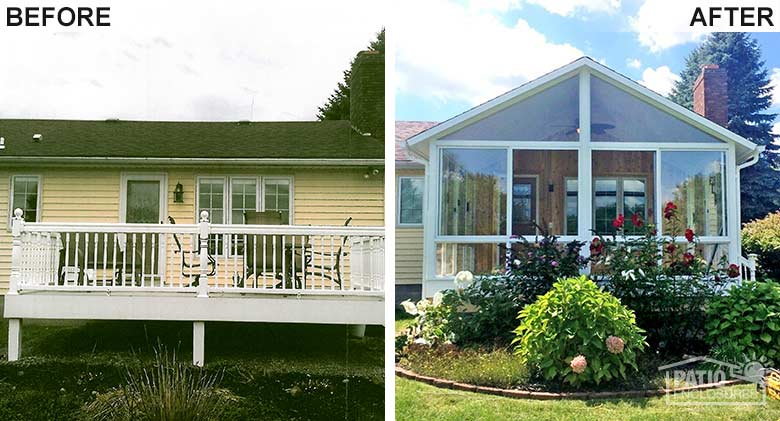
{"x":566,"y":154}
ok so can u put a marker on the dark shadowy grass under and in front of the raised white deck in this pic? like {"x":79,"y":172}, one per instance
{"x":280,"y":371}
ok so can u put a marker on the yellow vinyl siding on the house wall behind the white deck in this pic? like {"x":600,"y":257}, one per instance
{"x":321,"y":196}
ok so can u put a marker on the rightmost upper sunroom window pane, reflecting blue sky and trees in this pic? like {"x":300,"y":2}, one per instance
{"x":694,"y":182}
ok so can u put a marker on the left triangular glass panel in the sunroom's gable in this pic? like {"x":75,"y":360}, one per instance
{"x":550,"y":115}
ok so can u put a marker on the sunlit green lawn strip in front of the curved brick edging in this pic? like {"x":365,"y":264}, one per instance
{"x":418,"y":401}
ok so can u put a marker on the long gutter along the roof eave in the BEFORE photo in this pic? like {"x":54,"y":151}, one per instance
{"x":76,"y":160}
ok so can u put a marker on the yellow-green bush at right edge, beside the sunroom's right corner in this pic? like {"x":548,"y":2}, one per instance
{"x":762,"y":237}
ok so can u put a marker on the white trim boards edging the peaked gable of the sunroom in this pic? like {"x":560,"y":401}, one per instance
{"x":665,"y":104}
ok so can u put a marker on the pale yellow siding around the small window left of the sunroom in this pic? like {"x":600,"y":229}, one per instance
{"x":408,"y":244}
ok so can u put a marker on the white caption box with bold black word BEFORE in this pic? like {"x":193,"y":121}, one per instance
{"x":55,"y":16}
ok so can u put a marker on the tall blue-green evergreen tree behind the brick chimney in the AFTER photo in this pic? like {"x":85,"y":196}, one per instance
{"x":749,"y":96}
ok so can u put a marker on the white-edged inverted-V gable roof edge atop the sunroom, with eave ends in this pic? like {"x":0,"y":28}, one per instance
{"x":418,"y":143}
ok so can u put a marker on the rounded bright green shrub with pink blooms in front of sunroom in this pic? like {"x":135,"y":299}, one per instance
{"x":574,"y":320}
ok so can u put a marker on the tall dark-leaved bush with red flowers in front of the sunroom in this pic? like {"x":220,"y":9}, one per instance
{"x":669,"y":297}
